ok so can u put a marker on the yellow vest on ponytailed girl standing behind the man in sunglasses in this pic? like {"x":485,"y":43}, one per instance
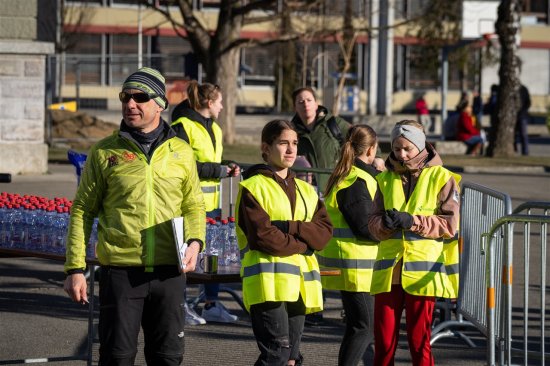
{"x":205,"y":152}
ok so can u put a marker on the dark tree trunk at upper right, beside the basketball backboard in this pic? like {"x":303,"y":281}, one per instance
{"x":502,"y":143}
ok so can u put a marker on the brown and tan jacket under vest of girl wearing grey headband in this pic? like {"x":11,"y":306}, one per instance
{"x":443,"y":224}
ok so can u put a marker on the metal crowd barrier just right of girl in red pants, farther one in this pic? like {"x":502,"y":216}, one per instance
{"x":480,"y":208}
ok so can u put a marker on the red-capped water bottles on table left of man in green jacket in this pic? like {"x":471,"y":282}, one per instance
{"x":37,"y":224}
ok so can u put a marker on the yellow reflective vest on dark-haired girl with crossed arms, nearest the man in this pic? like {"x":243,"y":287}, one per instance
{"x":275,"y":278}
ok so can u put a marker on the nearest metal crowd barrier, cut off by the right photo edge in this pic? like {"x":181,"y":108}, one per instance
{"x":515,"y":332}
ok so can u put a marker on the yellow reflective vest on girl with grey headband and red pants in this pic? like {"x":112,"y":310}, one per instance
{"x":433,"y":270}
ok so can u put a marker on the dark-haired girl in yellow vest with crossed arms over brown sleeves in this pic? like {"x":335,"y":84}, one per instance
{"x":280,"y":222}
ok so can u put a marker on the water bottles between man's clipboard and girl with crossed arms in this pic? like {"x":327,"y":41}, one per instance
{"x":221,"y":240}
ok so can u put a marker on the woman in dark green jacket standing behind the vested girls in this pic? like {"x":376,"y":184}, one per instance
{"x":320,"y":134}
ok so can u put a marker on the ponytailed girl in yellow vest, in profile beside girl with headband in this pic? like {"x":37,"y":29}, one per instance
{"x":352,"y":249}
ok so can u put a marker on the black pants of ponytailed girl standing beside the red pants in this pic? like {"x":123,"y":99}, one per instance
{"x":359,"y":309}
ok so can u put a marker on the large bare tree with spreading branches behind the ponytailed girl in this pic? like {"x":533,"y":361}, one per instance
{"x":218,"y":49}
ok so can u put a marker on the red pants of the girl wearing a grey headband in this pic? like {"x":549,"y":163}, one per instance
{"x":388,"y":307}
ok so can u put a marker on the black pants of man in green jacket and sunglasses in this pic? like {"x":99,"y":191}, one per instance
{"x":130,"y":297}
